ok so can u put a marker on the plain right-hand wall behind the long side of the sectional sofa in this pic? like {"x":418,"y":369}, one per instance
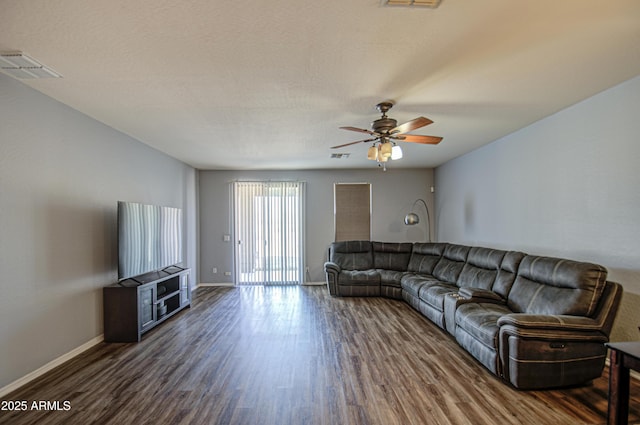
{"x":568,"y":186}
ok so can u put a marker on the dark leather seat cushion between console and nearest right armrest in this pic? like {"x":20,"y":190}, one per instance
{"x":480,"y":320}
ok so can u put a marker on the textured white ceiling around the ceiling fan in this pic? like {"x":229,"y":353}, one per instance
{"x":250,"y":84}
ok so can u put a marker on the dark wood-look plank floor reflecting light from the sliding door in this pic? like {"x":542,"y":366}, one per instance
{"x":295,"y":355}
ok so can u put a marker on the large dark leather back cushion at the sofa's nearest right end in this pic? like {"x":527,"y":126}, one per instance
{"x":547,"y":285}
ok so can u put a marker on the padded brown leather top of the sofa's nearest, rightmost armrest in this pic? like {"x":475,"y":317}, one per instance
{"x":550,"y":322}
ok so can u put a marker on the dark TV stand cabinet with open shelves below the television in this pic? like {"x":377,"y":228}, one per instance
{"x":135,"y":306}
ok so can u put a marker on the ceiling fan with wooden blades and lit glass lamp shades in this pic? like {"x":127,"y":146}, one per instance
{"x":386,"y":132}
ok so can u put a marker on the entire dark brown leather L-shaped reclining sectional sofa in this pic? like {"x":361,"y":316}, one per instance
{"x":536,"y":322}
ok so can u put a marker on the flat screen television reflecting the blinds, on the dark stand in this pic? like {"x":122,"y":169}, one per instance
{"x":149,"y":238}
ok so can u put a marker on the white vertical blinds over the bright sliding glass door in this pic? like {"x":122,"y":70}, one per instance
{"x":269,"y":232}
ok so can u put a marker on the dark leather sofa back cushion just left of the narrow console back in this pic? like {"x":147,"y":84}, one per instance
{"x":481,"y":268}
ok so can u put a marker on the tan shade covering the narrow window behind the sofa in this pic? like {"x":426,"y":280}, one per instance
{"x":352,"y":211}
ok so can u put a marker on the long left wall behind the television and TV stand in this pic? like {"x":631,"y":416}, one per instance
{"x":61,"y":175}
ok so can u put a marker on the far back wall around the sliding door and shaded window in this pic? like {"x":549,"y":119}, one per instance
{"x":393,"y":193}
